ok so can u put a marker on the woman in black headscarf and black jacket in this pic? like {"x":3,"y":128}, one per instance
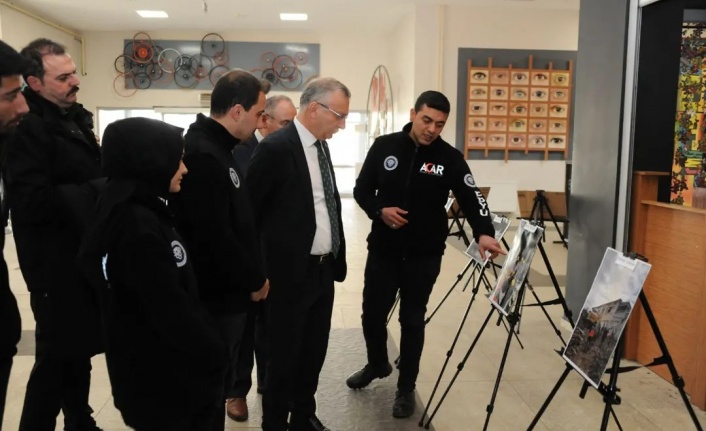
{"x":166,"y":363}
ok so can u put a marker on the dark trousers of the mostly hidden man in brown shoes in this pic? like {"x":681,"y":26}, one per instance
{"x":253,"y":346}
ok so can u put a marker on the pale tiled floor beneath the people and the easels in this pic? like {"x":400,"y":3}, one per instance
{"x":649,"y":403}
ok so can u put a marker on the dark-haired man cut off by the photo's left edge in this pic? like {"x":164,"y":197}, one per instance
{"x":13,"y":107}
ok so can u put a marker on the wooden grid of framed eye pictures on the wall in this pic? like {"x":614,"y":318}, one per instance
{"x":511,"y":109}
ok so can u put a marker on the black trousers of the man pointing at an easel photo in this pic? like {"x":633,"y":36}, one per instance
{"x":414,"y":278}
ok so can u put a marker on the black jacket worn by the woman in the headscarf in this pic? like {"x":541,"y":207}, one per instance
{"x":160,"y":346}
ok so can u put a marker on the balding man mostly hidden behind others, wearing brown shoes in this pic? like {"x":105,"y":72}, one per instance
{"x":279,"y":112}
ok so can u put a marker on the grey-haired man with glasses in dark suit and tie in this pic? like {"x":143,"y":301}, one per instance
{"x":298,"y":216}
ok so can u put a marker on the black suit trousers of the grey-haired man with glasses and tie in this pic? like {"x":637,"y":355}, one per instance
{"x":299,"y":329}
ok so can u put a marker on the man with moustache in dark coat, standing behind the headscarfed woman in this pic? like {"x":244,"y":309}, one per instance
{"x":52,"y":161}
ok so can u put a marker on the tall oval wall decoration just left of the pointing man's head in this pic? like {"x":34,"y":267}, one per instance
{"x":380,"y":108}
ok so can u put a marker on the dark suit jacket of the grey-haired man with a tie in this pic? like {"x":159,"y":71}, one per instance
{"x":283,"y":202}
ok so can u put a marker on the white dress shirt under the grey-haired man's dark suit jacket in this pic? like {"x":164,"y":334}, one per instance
{"x":322,"y":238}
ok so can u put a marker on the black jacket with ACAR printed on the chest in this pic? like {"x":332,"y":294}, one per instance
{"x":398,"y":173}
